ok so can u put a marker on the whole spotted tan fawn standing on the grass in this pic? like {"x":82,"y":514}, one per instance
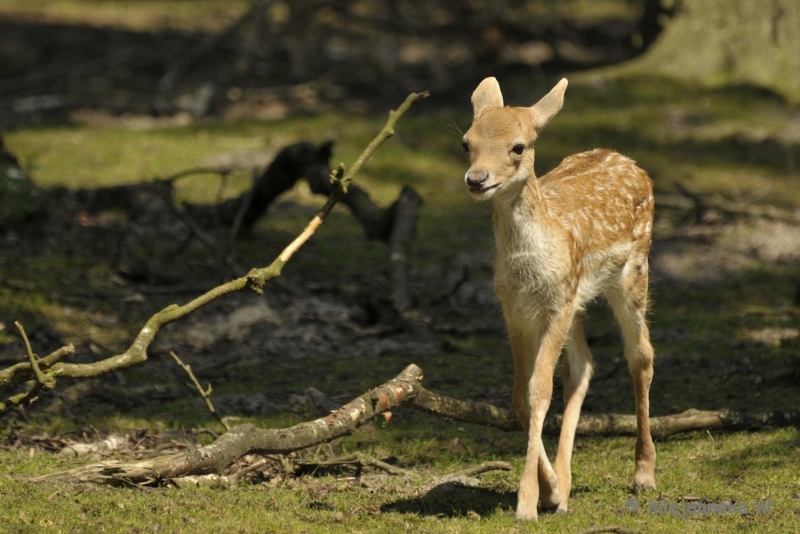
{"x":582,"y":230}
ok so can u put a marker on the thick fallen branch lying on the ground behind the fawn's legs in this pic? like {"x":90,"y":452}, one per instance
{"x":405,"y":389}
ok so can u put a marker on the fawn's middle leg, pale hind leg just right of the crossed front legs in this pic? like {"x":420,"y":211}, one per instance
{"x":576,"y":371}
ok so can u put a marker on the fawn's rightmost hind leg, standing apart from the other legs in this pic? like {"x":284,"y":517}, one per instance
{"x":629,"y":303}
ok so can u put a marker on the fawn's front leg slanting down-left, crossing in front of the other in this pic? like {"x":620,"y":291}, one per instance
{"x":540,"y":391}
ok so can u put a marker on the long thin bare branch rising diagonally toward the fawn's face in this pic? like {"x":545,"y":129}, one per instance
{"x":254,"y":280}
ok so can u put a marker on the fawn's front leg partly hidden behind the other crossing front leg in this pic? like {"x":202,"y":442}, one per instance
{"x":525,"y":345}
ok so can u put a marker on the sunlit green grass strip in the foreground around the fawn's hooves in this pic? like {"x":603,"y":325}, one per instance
{"x":744,"y":468}
